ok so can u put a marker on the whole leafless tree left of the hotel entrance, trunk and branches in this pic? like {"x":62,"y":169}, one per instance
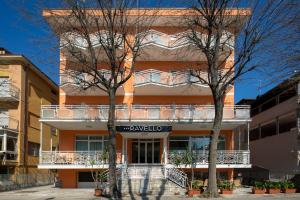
{"x":101,"y":40}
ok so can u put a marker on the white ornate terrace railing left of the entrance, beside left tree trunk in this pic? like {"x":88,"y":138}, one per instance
{"x":87,"y":158}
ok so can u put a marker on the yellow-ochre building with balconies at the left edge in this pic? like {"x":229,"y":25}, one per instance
{"x":23,"y":89}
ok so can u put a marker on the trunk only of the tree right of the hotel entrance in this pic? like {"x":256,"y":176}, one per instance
{"x":214,"y":137}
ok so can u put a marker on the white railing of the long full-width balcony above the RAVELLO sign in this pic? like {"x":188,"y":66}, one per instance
{"x":170,"y":113}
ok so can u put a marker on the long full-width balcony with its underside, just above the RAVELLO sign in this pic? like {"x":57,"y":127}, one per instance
{"x":182,"y":117}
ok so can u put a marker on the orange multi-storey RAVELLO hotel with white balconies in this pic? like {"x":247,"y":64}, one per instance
{"x":160,"y":114}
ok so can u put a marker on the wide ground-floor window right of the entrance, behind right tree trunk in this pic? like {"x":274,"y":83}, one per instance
{"x":193,"y":143}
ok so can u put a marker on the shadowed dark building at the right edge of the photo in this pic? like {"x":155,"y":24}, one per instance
{"x":274,"y":130}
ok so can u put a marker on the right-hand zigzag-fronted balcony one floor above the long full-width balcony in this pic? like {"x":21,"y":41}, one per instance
{"x":157,"y":82}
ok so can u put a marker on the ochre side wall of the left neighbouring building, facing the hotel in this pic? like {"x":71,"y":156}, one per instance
{"x":39,"y":93}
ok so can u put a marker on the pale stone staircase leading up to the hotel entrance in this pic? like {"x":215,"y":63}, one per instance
{"x":147,"y":180}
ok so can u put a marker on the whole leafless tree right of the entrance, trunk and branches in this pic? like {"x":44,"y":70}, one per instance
{"x":229,"y":39}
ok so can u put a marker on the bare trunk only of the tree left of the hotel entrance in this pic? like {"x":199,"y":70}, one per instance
{"x":113,"y":188}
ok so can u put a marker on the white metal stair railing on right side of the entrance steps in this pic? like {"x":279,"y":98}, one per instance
{"x":177,"y":176}
